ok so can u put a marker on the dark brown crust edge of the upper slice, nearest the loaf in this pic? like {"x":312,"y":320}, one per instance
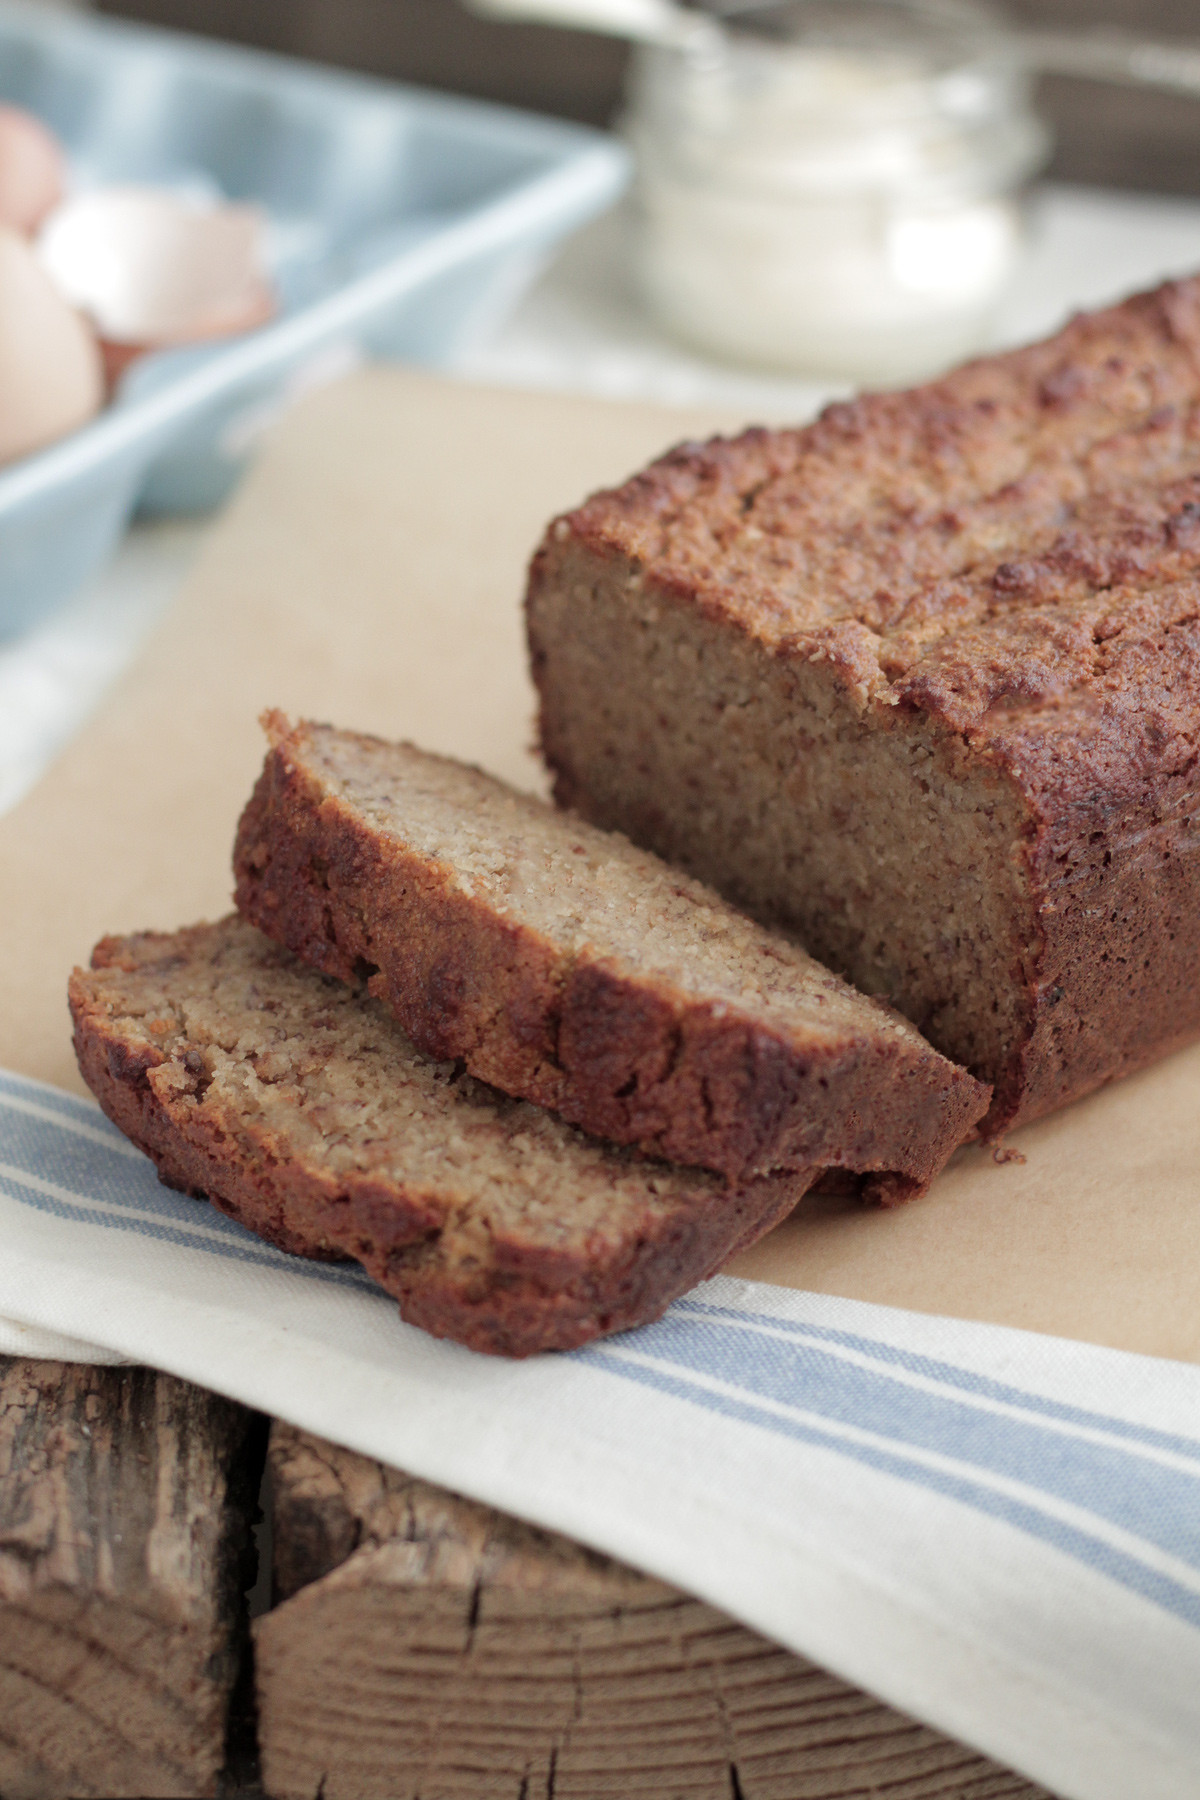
{"x":627,"y":1057}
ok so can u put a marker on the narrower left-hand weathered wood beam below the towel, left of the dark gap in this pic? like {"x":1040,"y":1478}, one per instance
{"x":125,"y":1522}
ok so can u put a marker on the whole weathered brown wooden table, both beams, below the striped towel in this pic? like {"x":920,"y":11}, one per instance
{"x":409,"y":1644}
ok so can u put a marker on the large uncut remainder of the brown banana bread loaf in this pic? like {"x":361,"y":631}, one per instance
{"x":922,"y":683}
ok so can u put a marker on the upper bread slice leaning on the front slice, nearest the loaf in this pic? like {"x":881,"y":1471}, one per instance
{"x":577,"y":971}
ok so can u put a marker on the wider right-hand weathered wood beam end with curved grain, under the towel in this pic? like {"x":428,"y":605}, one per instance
{"x":425,"y":1648}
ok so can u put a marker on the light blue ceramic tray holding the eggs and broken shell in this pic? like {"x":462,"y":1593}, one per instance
{"x":400,"y":224}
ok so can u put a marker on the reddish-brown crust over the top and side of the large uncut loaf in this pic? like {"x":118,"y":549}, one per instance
{"x":1003,"y":564}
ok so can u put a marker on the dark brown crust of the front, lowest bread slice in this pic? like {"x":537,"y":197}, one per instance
{"x":526,"y":1299}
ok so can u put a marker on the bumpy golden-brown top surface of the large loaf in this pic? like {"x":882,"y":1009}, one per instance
{"x":900,"y":521}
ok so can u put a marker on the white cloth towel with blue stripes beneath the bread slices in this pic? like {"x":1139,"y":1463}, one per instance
{"x":994,"y":1531}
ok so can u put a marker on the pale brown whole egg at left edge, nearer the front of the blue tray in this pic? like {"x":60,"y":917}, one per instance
{"x":51,"y":373}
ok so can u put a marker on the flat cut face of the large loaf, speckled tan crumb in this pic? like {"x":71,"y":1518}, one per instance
{"x":872,"y":838}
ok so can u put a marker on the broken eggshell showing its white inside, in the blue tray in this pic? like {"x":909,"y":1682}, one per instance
{"x":152,"y":269}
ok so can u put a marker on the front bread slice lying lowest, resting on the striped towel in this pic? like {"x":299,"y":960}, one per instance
{"x":298,"y":1106}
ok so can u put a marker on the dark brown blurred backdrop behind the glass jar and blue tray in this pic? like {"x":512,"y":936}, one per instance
{"x":1106,"y":136}
